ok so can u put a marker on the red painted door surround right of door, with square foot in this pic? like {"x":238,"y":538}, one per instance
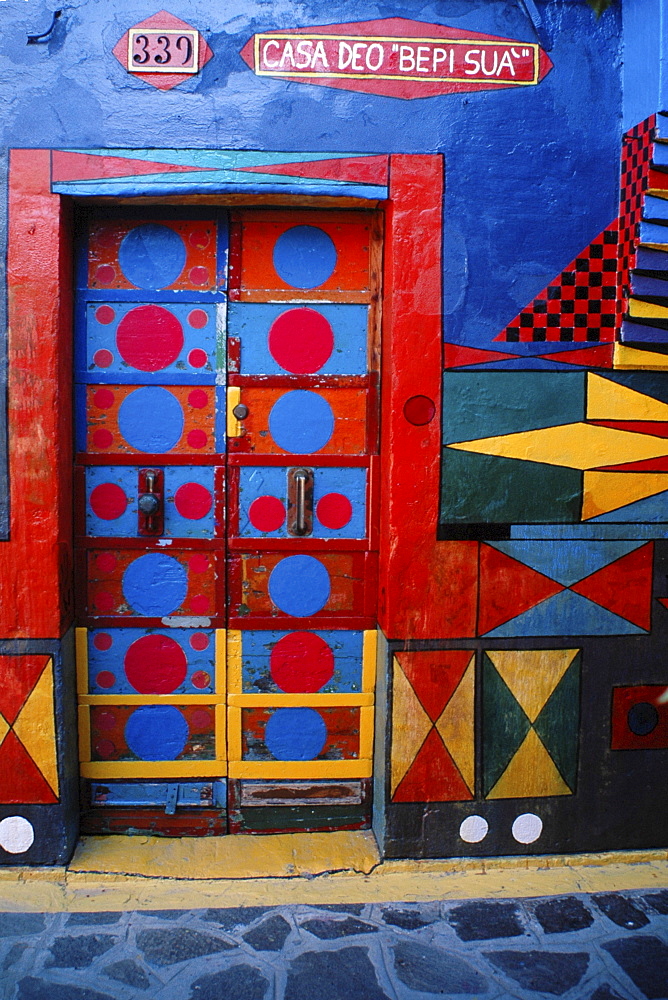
{"x":428,"y":589}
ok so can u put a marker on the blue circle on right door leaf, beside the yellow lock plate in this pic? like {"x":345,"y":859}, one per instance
{"x":301,"y":422}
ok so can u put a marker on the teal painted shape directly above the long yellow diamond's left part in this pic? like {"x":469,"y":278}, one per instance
{"x":491,"y":403}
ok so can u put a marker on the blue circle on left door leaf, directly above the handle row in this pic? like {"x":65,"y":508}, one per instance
{"x":151,"y":419}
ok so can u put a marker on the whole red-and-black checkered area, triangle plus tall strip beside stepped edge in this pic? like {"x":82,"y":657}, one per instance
{"x":586,"y":301}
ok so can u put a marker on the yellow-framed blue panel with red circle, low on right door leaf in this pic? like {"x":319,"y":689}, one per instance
{"x":328,"y":662}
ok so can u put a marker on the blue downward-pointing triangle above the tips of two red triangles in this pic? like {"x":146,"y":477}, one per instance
{"x":567,"y":562}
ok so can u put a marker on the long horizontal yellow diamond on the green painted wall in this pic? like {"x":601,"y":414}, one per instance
{"x":575,"y":446}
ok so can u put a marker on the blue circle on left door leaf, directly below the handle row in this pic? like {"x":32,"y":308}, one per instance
{"x":155,"y":584}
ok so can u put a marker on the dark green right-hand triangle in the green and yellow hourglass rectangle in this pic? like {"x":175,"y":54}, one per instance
{"x":559,"y":722}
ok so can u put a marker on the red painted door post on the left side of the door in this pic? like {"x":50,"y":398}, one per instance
{"x":35,"y":564}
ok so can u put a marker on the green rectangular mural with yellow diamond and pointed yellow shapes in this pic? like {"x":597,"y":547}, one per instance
{"x":562,"y":447}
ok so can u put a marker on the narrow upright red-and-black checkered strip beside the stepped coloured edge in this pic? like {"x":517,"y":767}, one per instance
{"x":636,"y":158}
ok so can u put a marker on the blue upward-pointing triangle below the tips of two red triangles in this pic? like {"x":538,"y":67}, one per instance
{"x":565,"y":614}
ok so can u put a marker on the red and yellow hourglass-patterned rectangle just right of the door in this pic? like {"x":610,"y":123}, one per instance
{"x":433,"y":757}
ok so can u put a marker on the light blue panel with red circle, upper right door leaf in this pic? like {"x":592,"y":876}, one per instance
{"x":300,"y":340}
